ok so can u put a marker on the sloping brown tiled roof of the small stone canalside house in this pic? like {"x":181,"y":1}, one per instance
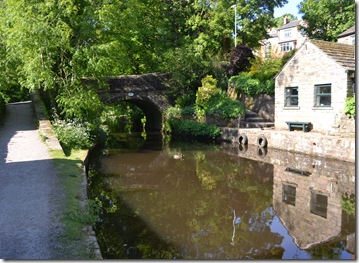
{"x":343,"y":54}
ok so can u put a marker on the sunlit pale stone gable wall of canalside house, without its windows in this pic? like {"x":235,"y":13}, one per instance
{"x":309,"y":67}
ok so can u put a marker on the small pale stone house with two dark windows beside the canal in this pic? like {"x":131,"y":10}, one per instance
{"x":313,"y":87}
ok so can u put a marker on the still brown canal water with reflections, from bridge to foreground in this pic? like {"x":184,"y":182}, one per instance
{"x":220,"y":202}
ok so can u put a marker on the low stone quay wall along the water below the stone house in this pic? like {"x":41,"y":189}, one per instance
{"x":315,"y":144}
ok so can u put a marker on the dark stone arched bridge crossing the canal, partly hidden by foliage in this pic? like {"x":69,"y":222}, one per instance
{"x":146,"y":91}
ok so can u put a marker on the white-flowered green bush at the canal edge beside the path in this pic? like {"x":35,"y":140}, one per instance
{"x":72,"y":134}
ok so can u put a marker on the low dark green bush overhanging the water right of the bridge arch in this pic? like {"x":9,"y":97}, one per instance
{"x":193,"y":128}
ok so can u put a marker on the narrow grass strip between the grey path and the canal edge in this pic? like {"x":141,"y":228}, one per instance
{"x":76,"y":213}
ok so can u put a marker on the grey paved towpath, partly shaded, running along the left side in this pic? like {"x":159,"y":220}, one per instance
{"x":29,"y":191}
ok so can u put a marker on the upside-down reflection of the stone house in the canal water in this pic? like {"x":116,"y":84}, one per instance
{"x":307,"y":196}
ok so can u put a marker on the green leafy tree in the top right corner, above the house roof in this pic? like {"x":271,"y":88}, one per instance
{"x":326,"y":19}
